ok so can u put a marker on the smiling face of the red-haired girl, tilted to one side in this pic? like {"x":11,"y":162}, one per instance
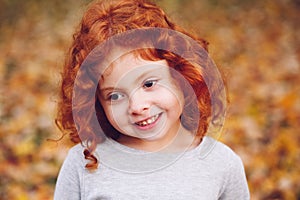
{"x":141,"y":100}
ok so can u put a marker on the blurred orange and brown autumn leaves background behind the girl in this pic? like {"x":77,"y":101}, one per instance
{"x":256,"y":44}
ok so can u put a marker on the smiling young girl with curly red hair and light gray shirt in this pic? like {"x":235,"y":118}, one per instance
{"x":140,"y":96}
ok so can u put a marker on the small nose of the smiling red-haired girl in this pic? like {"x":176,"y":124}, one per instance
{"x":138,"y":103}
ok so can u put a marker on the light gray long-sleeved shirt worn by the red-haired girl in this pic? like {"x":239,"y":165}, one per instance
{"x":210,"y":171}
